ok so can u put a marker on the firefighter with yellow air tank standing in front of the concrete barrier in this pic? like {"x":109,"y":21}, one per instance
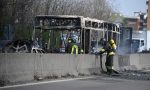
{"x":109,"y":48}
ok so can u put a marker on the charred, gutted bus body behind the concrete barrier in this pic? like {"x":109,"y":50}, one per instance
{"x":52,"y":31}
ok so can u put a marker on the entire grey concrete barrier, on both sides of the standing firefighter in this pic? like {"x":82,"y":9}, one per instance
{"x":21,"y":67}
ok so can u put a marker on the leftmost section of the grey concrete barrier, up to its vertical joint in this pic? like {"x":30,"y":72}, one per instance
{"x":17,"y":67}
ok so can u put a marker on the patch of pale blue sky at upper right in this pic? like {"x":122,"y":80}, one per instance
{"x":128,"y":7}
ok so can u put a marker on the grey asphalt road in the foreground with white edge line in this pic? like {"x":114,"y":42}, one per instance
{"x":95,"y":83}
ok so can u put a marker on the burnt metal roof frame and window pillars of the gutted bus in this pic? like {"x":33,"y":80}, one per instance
{"x":68,"y":22}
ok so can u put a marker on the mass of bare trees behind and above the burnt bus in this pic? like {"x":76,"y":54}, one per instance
{"x":20,"y":13}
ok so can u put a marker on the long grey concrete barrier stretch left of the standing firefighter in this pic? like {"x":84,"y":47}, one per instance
{"x":20,"y":67}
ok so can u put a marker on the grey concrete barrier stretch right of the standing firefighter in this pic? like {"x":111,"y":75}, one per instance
{"x":134,"y":62}
